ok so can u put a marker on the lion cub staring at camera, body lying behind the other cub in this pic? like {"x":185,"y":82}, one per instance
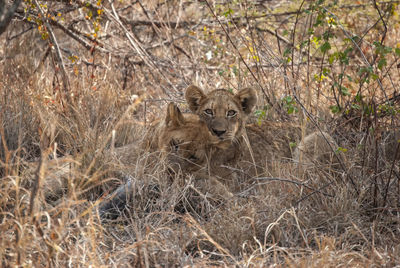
{"x":269,"y":144}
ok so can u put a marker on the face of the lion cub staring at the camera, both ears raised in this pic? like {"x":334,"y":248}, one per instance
{"x":224,"y":113}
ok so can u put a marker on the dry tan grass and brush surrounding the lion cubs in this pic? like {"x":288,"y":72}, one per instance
{"x":317,"y":218}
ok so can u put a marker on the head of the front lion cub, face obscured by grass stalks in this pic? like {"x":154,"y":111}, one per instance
{"x":185,"y":140}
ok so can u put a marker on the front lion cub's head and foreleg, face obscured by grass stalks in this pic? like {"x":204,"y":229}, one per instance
{"x":186,"y":143}
